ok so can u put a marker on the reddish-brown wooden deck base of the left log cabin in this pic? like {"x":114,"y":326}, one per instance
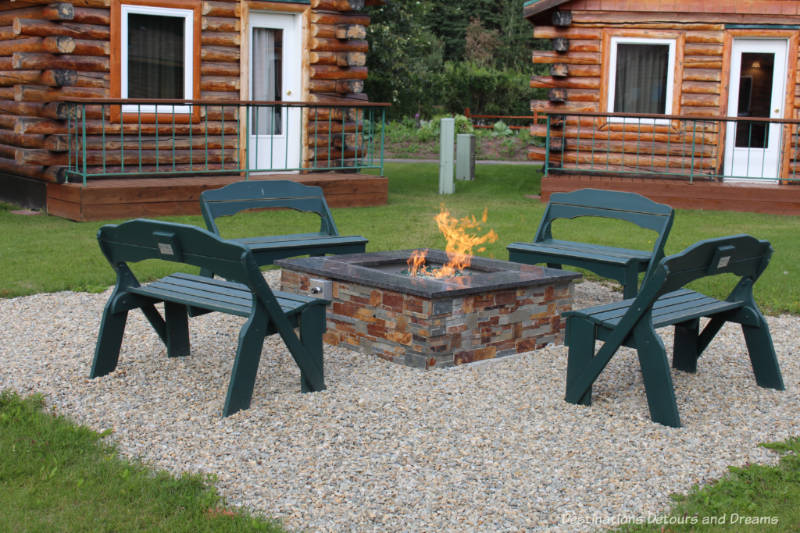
{"x":148,"y":197}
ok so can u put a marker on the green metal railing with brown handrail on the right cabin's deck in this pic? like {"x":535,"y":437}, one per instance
{"x":681,"y":147}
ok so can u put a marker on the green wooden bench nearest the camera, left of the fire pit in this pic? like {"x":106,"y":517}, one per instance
{"x":243,"y":292}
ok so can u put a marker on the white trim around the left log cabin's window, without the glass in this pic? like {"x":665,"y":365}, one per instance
{"x":188,"y":55}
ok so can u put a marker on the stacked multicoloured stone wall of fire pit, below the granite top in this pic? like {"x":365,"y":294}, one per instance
{"x":421,"y":332}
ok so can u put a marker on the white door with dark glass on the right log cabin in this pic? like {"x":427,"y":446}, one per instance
{"x":757,"y":89}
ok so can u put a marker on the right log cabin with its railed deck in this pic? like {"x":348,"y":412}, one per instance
{"x":695,"y":104}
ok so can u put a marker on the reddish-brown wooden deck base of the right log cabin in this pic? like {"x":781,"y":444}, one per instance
{"x":758,"y":198}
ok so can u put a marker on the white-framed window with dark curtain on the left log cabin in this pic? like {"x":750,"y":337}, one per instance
{"x":156,"y":56}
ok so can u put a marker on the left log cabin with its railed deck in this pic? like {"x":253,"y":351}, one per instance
{"x":119,"y":108}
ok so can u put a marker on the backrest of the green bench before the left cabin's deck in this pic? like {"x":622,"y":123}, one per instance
{"x":266,"y":194}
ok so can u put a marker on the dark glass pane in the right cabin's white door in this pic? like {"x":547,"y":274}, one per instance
{"x":755,"y":99}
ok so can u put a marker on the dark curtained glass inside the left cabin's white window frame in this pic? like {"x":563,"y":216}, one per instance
{"x":156,"y":56}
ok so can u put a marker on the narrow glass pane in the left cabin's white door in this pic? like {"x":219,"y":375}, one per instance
{"x":267,"y":80}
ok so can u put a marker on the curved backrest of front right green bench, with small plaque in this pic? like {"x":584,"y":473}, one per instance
{"x":741,"y":255}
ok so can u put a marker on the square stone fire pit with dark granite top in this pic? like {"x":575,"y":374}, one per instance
{"x":492,"y":309}
